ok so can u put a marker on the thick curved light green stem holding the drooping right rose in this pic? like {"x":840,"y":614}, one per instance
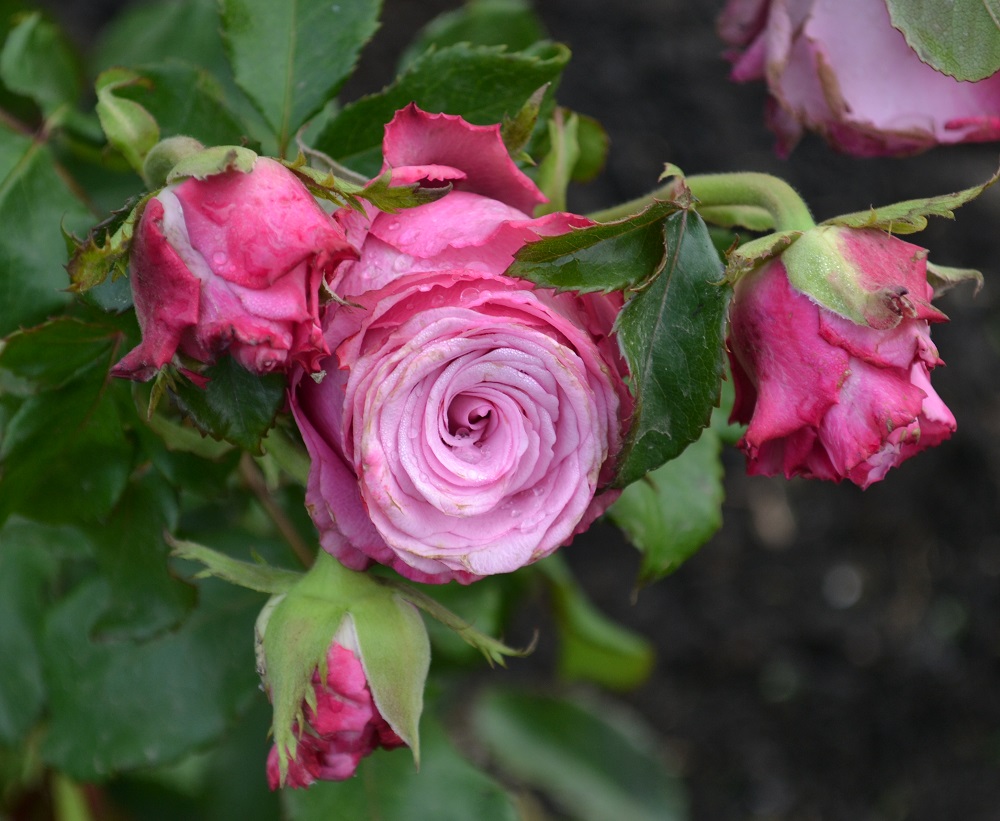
{"x":773,"y":195}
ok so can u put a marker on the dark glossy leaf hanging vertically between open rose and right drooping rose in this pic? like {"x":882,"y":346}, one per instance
{"x":672,"y":336}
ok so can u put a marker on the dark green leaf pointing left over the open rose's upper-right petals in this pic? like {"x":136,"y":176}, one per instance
{"x":611,"y":256}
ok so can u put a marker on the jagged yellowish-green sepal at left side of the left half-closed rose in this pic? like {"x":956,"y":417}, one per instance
{"x":105,"y":248}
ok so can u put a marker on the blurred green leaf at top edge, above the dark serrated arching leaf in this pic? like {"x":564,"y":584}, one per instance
{"x":510,"y":23}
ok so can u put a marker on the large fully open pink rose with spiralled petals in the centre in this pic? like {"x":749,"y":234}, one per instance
{"x":468,"y":422}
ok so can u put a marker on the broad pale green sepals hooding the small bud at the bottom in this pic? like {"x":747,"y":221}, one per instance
{"x":392,"y":646}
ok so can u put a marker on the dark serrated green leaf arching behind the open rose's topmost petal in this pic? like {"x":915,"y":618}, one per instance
{"x":481,"y":84}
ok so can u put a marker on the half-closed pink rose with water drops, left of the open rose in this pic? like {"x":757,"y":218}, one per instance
{"x":231,"y":263}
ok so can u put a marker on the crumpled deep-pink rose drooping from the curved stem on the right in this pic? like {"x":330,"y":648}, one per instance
{"x":826,"y":397}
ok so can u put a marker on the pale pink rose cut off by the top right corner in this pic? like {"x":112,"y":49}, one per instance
{"x":839,"y":67}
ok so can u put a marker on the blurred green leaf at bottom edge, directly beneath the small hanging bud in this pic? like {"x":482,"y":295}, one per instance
{"x":388,"y":787}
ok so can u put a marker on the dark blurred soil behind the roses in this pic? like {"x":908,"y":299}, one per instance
{"x":830,"y":654}
